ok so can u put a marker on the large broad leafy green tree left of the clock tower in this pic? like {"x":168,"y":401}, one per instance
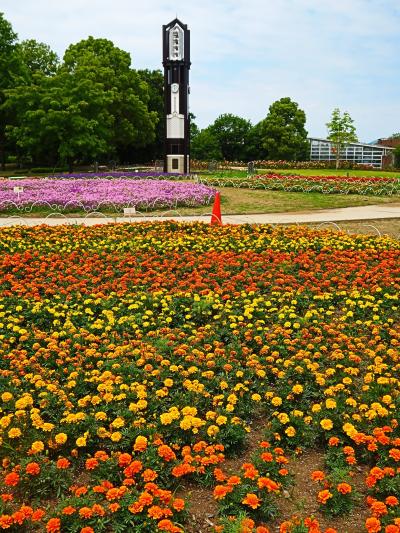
{"x":94,"y":107}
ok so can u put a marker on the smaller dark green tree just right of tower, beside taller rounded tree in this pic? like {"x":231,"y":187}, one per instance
{"x":232,"y":133}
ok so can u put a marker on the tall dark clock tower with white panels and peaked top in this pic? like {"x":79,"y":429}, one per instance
{"x":176,"y":62}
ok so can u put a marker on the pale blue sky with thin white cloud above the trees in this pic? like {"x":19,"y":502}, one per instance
{"x":248,"y":53}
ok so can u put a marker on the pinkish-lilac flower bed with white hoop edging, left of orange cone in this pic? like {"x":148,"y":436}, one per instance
{"x":64,"y":194}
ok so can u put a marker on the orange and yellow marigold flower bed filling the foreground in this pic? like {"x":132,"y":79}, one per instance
{"x":136,"y":356}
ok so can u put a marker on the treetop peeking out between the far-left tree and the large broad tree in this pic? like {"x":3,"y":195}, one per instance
{"x":38,"y":57}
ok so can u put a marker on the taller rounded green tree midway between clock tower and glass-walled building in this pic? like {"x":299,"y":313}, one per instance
{"x":283,"y":131}
